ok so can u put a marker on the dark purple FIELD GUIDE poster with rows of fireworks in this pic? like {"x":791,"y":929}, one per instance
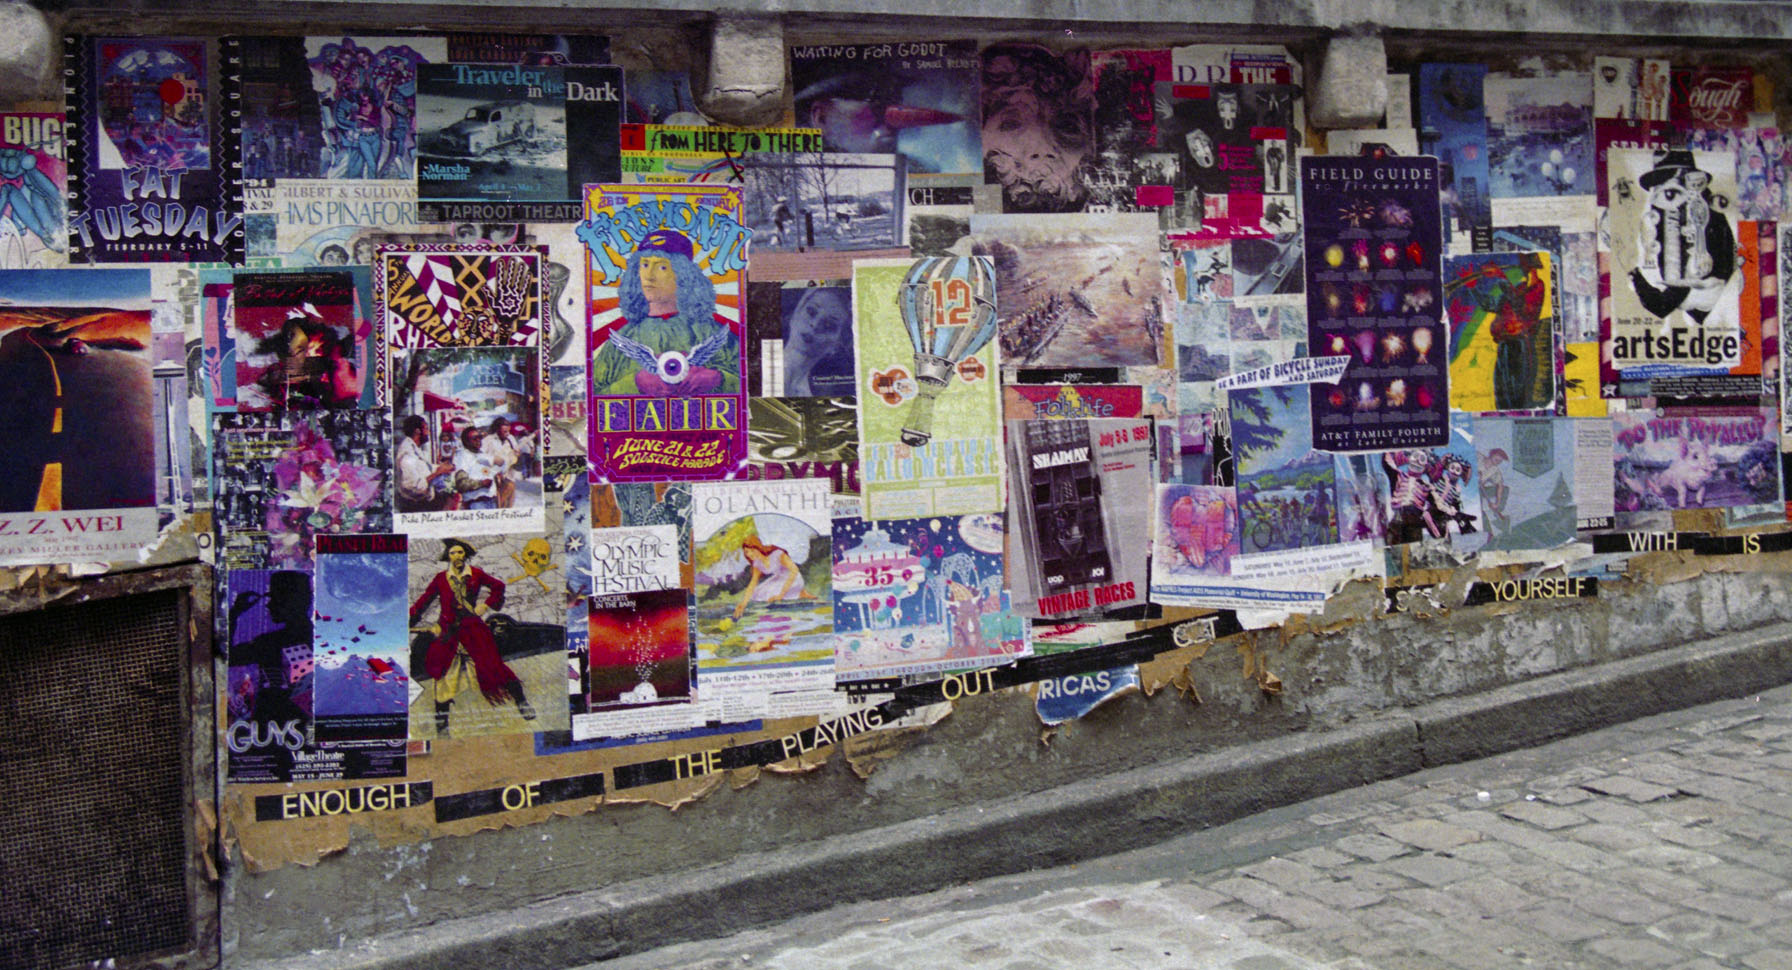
{"x":1374,"y":239}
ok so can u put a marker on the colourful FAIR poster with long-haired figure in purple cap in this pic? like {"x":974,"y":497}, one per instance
{"x":666,"y":333}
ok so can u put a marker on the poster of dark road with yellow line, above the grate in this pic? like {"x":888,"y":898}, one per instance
{"x":80,"y":420}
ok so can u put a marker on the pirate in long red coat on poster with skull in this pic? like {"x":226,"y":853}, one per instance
{"x":465,"y":650}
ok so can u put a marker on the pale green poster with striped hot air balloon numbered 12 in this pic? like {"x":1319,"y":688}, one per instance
{"x":929,"y":404}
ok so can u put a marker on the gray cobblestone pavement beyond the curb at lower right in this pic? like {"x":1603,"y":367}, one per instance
{"x":1660,"y":844}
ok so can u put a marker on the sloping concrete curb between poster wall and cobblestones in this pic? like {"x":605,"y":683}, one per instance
{"x":1110,"y":815}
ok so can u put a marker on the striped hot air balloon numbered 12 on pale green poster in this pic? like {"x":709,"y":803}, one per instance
{"x":949,"y":306}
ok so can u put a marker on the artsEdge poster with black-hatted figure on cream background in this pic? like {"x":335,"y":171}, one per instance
{"x":1676,"y":277}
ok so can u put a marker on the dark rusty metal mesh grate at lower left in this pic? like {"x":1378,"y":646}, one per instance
{"x":92,"y":795}
